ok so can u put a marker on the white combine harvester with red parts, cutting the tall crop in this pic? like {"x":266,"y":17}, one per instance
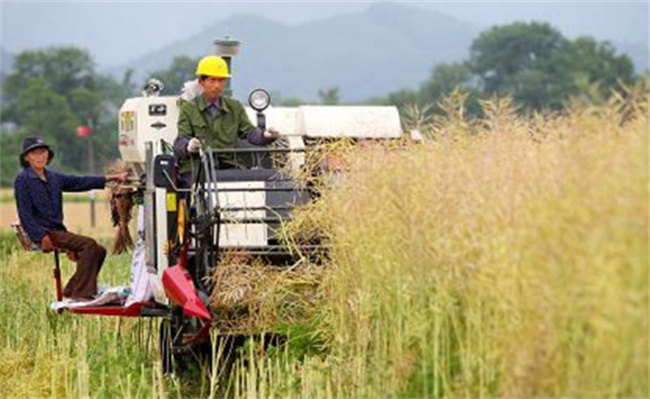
{"x":186,"y":230}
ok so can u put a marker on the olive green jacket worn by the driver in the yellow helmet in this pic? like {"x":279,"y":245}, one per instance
{"x":219,"y":131}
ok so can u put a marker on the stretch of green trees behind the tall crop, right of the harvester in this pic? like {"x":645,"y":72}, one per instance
{"x":531,"y":62}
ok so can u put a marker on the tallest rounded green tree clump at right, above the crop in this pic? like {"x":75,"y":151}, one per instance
{"x":540,"y":68}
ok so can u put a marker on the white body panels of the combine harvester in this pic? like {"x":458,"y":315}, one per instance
{"x":151,"y":122}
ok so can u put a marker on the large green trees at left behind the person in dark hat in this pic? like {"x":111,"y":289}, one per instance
{"x":50,"y":92}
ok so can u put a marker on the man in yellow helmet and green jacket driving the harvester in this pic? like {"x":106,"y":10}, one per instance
{"x":214,"y":119}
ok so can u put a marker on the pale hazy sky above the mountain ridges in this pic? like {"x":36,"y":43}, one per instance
{"x":119,"y":30}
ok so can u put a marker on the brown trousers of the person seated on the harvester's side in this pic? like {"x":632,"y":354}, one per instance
{"x":89,"y":256}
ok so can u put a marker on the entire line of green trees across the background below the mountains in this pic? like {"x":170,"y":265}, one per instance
{"x":50,"y":92}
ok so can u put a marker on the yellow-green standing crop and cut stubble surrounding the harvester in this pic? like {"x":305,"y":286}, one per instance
{"x":504,"y":257}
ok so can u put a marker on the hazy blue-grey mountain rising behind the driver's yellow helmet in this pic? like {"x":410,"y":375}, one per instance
{"x":385,"y":48}
